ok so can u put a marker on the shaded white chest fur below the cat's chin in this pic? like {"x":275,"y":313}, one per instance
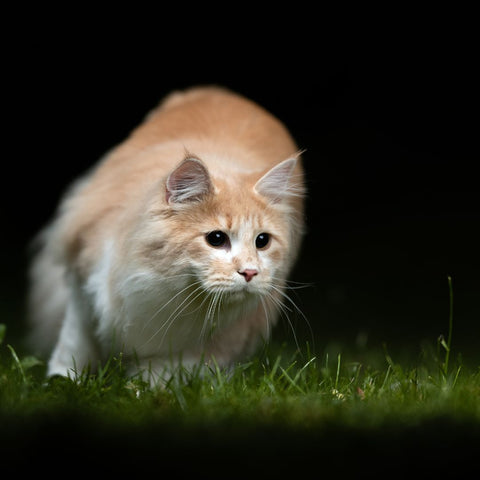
{"x":149,"y":315}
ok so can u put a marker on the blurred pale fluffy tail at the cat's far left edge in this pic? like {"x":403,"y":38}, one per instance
{"x":47,"y":296}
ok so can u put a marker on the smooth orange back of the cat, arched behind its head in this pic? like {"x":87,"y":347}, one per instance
{"x":217,"y":125}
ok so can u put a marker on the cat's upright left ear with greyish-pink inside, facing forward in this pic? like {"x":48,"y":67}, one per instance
{"x":189,"y":182}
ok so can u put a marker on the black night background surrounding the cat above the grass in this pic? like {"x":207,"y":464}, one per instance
{"x":389,"y":129}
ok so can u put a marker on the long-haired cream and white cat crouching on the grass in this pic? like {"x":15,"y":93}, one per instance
{"x":176,"y":247}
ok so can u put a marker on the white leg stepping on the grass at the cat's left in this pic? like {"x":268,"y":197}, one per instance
{"x":76,"y":347}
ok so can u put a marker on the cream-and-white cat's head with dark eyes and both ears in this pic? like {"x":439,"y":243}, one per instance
{"x":236,"y":235}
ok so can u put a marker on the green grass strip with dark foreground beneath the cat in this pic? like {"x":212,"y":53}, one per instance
{"x":282,"y":413}
